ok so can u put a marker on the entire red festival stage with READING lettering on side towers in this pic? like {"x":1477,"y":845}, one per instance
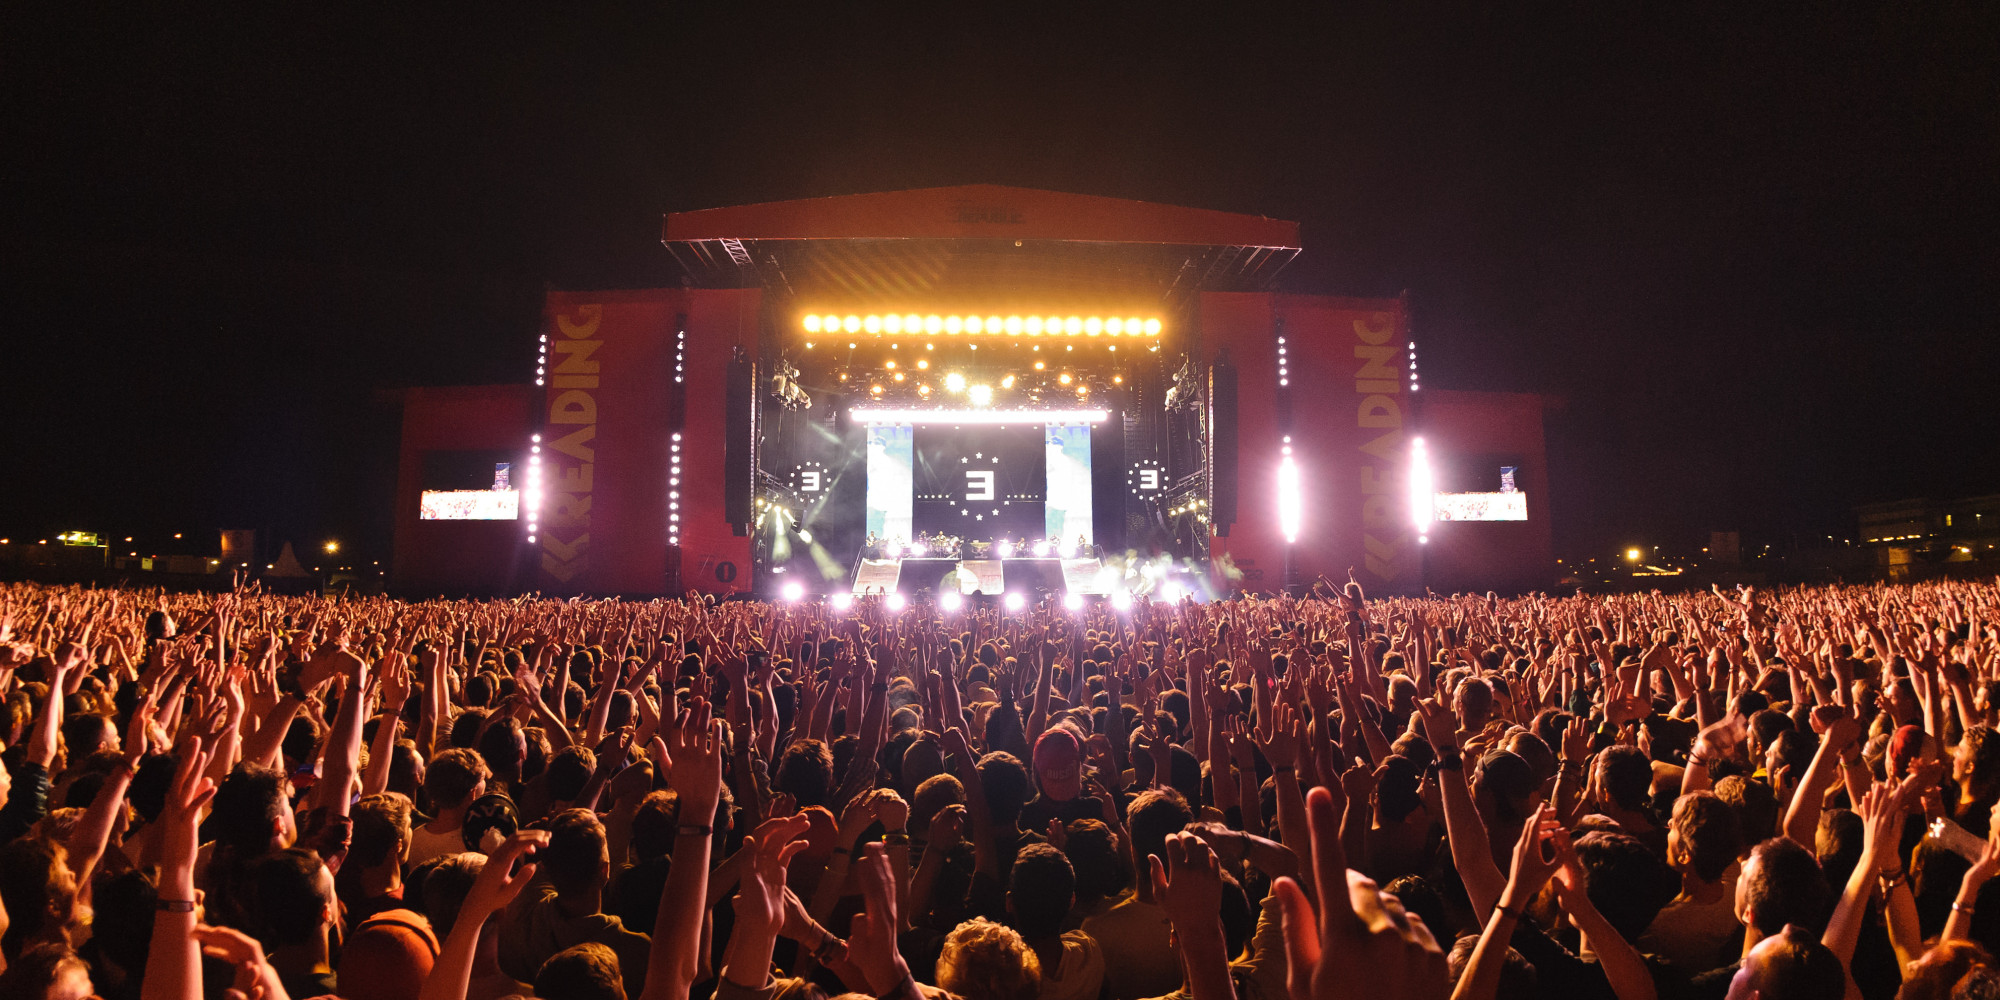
{"x":789,"y":419}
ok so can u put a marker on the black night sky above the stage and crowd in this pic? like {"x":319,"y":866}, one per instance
{"x":1755,"y":255}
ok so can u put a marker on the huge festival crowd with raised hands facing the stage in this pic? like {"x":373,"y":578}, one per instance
{"x":1781,"y":795}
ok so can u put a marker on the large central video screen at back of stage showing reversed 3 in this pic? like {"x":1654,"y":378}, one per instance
{"x":979,"y":481}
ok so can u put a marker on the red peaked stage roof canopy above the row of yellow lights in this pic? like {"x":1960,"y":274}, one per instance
{"x":979,"y":243}
